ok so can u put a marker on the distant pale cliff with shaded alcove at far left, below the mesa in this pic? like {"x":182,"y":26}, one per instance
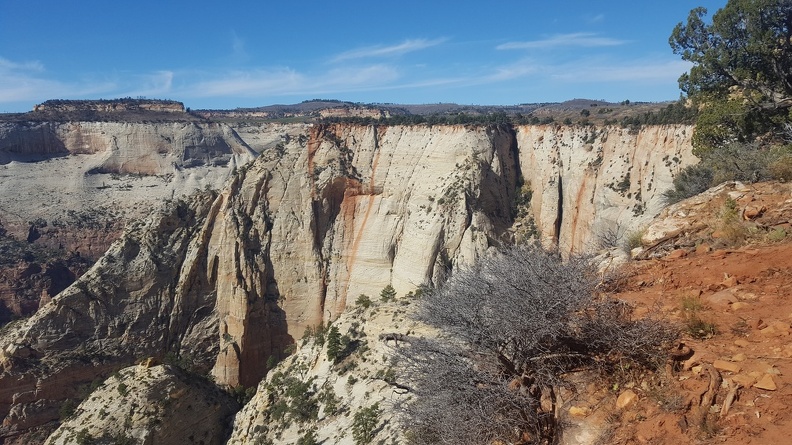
{"x":69,"y":188}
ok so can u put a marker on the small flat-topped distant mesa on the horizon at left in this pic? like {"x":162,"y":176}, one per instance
{"x":109,"y":105}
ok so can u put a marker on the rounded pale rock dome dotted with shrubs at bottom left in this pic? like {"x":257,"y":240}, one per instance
{"x":159,"y":405}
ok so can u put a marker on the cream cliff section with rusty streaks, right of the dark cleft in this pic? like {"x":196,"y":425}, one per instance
{"x":587,"y":180}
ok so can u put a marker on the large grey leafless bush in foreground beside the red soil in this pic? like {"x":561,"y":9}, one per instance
{"x":516,"y":324}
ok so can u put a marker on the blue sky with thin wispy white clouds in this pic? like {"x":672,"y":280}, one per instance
{"x":245,"y":54}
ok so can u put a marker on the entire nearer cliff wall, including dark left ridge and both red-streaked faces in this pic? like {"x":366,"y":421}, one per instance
{"x":321,"y":217}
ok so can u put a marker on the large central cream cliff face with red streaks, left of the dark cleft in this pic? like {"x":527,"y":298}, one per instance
{"x":344,"y":211}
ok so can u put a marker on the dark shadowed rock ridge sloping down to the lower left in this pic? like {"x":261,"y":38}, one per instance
{"x":147,"y":296}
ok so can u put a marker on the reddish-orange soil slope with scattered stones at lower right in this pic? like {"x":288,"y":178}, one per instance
{"x":746,"y":293}
